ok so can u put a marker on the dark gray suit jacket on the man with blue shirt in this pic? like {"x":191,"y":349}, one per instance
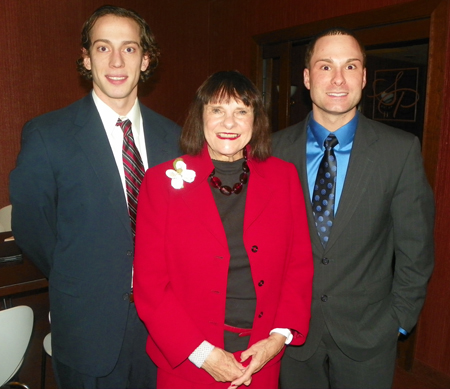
{"x":359,"y":290}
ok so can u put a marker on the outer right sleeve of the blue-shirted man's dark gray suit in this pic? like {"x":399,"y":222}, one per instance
{"x":412,"y":212}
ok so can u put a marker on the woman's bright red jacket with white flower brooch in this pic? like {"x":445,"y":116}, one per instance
{"x":182,"y":259}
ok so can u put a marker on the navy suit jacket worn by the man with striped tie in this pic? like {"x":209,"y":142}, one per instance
{"x":70,"y":217}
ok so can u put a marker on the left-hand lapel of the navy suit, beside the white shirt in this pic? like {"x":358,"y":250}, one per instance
{"x":93,"y":140}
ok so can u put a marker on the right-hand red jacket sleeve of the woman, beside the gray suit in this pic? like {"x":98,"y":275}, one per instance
{"x":294,"y":309}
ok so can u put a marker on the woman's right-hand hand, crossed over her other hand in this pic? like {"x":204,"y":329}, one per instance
{"x":261,"y":353}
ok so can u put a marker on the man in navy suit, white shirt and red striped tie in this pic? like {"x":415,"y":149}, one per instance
{"x":73,"y":209}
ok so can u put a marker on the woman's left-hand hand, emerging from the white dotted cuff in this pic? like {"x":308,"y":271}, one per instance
{"x":223,"y":367}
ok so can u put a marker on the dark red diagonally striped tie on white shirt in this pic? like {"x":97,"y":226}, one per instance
{"x":133,"y":168}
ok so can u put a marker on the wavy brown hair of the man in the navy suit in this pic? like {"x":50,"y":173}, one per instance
{"x":148,"y":43}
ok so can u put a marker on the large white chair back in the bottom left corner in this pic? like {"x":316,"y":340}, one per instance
{"x":16,"y":325}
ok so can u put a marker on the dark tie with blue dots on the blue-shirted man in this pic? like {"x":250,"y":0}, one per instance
{"x":324,"y":190}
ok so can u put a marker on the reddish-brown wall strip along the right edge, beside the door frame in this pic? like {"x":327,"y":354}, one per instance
{"x":433,"y":344}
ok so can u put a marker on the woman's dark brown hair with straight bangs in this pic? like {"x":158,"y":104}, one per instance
{"x":221,"y":87}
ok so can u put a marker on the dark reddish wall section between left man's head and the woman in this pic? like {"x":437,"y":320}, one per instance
{"x":181,"y":28}
